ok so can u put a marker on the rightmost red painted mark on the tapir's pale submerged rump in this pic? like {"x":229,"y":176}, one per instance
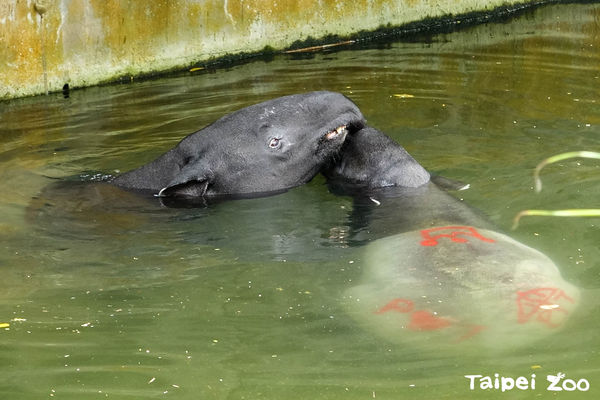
{"x":542,"y":304}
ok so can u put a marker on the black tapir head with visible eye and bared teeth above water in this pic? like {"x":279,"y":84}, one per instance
{"x":266,"y":147}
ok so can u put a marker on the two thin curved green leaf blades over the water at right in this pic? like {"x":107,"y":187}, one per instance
{"x":585,"y":212}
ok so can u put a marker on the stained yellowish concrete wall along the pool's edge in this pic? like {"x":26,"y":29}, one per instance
{"x":45,"y":44}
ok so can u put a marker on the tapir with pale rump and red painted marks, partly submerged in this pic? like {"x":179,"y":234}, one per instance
{"x":437,"y":275}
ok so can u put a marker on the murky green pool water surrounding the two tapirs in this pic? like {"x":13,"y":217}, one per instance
{"x":242,"y":300}
